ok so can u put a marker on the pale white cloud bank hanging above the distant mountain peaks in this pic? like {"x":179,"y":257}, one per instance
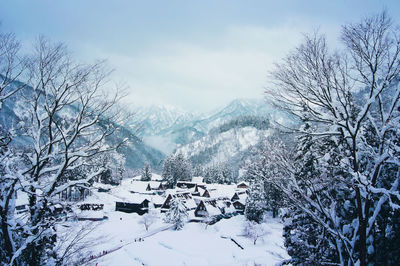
{"x":202,"y":75}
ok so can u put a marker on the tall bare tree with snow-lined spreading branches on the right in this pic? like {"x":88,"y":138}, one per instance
{"x":350,"y":98}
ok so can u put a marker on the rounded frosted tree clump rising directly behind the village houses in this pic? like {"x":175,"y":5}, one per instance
{"x":176,"y":167}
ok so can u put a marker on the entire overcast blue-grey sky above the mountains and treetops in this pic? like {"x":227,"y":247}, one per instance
{"x":196,"y":55}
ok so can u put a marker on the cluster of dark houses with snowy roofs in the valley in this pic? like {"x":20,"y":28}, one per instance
{"x":202,"y":200}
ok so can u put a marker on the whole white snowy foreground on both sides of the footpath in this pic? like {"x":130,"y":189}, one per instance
{"x":195,"y":244}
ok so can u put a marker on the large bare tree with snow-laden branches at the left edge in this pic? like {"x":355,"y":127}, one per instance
{"x":65,"y":119}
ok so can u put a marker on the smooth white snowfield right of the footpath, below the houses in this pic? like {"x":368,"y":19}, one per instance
{"x":198,"y":245}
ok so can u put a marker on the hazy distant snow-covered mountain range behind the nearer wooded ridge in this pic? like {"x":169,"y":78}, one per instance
{"x":167,"y":128}
